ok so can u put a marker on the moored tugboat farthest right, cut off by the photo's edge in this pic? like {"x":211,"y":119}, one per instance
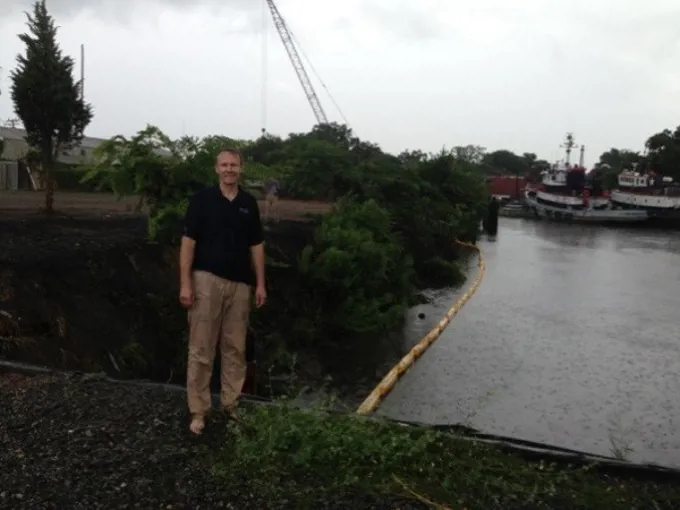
{"x":659,"y":196}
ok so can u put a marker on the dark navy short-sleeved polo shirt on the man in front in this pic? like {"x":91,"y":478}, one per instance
{"x":224,"y":231}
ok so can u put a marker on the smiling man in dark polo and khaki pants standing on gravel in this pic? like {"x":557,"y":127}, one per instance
{"x":223,"y":241}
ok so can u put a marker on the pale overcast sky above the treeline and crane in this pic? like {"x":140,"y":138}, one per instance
{"x":407,"y":74}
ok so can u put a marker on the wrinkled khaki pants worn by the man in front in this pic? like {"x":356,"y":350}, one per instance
{"x":220,"y":313}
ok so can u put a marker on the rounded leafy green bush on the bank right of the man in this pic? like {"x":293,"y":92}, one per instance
{"x":356,"y":271}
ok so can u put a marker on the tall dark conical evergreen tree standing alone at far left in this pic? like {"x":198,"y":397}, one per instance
{"x":46,"y":97}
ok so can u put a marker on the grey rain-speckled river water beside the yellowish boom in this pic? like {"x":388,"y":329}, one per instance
{"x":572,"y":339}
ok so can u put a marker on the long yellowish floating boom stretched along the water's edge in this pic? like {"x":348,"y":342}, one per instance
{"x":390,"y":380}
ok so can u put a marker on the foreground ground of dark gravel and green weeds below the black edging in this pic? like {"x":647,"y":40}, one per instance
{"x":112,"y":445}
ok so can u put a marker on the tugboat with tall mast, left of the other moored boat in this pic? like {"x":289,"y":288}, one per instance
{"x":567,"y":194}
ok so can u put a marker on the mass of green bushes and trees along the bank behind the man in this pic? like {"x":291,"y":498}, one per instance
{"x":343,"y":285}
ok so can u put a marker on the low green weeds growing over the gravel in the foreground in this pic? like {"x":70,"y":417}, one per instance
{"x":286,"y":453}
